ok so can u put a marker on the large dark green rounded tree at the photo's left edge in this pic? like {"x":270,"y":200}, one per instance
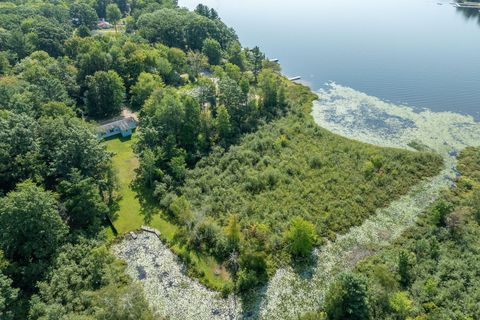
{"x":31,"y":230}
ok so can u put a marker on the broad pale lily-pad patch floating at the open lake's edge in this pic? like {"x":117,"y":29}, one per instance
{"x":357,"y":115}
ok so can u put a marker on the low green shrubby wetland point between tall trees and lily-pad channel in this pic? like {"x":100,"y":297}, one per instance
{"x":293,"y":168}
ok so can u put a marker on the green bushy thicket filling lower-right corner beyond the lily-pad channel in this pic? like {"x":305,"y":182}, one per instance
{"x":433,"y":270}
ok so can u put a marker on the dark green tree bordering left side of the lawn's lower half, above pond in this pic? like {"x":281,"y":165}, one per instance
{"x":82,"y":201}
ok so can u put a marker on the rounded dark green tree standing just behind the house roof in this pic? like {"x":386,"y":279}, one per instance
{"x":105,"y":94}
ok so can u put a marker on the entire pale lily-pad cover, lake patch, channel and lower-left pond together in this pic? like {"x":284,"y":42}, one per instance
{"x":290,"y":293}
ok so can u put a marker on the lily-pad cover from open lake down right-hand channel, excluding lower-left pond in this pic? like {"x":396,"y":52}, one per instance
{"x":351,"y":113}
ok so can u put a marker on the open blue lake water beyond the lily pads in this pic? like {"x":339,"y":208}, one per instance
{"x":423,"y":53}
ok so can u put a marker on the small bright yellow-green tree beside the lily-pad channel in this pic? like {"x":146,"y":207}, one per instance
{"x":300,"y":237}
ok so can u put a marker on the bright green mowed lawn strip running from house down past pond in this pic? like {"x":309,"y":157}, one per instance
{"x":129,"y":216}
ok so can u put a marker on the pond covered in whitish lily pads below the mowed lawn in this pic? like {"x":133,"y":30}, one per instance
{"x":170,"y":292}
